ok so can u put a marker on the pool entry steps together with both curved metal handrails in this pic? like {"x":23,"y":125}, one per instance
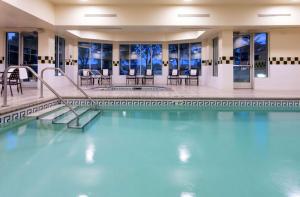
{"x":70,"y":116}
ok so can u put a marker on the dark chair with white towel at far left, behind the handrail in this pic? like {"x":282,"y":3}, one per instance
{"x":13,"y":80}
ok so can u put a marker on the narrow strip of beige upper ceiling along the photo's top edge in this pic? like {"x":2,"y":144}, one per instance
{"x":174,"y":2}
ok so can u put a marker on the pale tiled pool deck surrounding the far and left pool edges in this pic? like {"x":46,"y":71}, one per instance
{"x":31,"y":95}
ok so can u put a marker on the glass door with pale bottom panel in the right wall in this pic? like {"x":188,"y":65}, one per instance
{"x":242,"y":68}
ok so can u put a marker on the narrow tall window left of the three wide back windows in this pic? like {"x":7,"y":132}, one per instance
{"x":59,"y":53}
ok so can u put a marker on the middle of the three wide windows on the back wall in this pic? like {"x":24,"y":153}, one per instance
{"x":141,"y":57}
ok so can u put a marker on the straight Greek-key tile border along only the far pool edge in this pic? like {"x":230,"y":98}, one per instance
{"x":206,"y":102}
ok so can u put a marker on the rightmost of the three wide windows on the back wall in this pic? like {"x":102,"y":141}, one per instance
{"x":184,"y":57}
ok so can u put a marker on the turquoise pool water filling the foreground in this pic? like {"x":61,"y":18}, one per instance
{"x":155,"y":153}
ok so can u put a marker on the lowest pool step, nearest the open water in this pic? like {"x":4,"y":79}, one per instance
{"x":84,"y":119}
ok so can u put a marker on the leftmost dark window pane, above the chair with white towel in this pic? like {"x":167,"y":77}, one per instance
{"x":12,"y":48}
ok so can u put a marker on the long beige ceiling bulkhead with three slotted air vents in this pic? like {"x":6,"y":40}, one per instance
{"x":137,"y":15}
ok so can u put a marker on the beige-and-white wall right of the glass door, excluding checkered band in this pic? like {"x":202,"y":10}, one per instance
{"x":283,"y":43}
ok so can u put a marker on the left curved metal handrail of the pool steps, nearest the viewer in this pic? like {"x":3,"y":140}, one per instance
{"x":42,"y":82}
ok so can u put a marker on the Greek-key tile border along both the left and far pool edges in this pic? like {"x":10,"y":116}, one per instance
{"x":197,"y":103}
